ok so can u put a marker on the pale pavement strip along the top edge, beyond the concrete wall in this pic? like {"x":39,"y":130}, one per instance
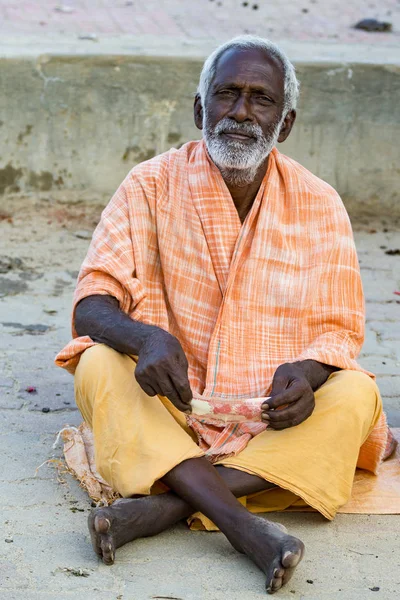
{"x":306,"y":20}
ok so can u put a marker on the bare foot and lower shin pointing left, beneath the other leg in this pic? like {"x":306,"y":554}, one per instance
{"x":128,"y":519}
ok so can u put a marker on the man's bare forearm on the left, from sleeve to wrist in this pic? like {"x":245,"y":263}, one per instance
{"x":100,"y":318}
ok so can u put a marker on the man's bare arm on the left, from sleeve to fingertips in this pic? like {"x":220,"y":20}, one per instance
{"x":162,"y":365}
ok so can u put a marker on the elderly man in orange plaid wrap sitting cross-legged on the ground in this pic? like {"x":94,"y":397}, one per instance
{"x":217,"y":319}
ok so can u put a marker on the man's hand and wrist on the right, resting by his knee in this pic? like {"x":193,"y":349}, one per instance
{"x":293,"y":388}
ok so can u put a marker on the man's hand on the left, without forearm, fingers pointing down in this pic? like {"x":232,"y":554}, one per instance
{"x":162,"y":369}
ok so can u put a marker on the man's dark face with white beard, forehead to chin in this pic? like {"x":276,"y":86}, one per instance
{"x":242,"y":116}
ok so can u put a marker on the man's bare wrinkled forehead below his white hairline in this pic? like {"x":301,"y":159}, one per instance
{"x":251,"y":67}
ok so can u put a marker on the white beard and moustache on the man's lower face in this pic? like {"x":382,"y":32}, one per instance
{"x":237,"y":161}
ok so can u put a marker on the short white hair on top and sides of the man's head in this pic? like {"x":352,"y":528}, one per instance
{"x":291,"y":83}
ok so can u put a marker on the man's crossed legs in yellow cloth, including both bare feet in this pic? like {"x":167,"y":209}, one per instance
{"x":140,"y":440}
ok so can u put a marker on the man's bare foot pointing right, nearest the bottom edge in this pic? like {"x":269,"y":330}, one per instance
{"x":271,"y":548}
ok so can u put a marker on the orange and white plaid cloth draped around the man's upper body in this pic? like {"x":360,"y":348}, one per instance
{"x":241,"y":298}
